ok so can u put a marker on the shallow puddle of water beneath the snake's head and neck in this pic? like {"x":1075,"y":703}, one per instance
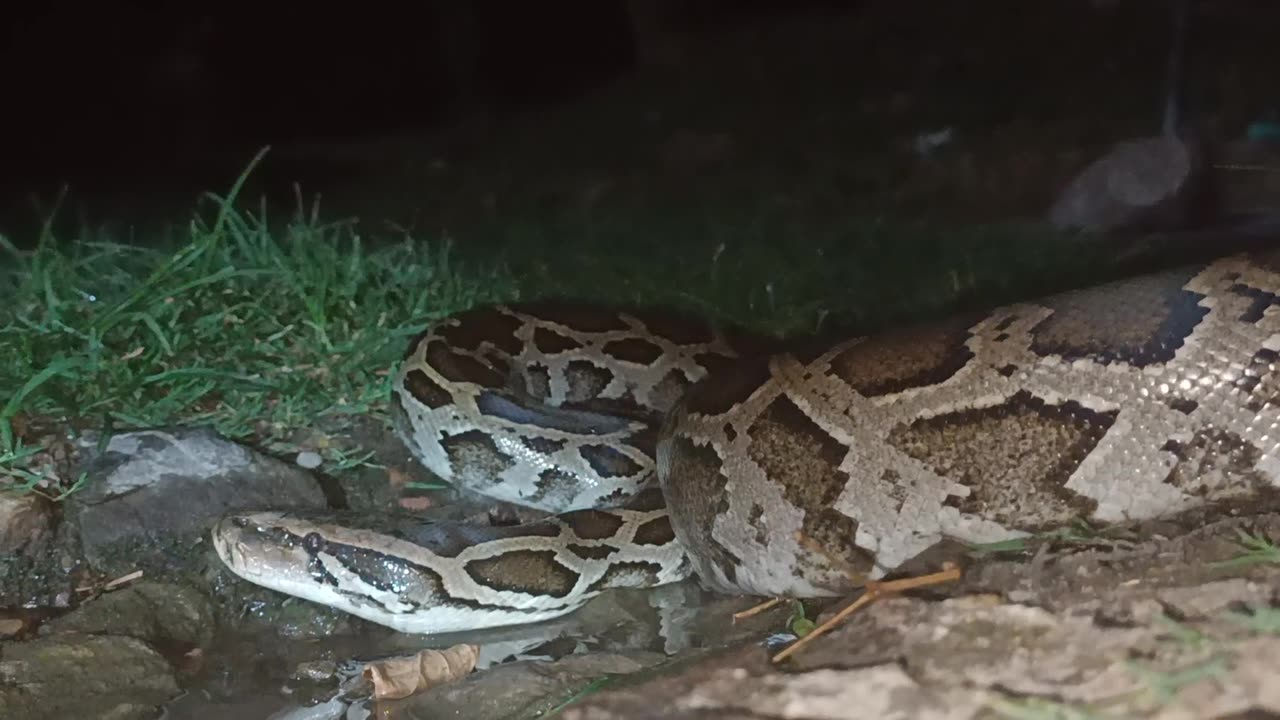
{"x":267,"y":676}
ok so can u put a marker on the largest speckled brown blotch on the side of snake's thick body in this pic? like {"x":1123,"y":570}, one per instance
{"x":1016,"y":459}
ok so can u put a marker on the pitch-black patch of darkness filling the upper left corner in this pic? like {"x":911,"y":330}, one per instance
{"x":118,"y":86}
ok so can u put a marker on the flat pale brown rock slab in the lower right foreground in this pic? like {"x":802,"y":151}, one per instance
{"x":963,"y":659}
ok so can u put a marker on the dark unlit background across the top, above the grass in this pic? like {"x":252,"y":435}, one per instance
{"x":140,"y":106}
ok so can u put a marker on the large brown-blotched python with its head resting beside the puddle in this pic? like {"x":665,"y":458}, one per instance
{"x":666,"y":448}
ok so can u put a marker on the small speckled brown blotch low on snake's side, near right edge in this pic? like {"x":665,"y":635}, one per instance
{"x":1214,"y":462}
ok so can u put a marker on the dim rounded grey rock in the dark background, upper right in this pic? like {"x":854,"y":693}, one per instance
{"x":1141,"y":185}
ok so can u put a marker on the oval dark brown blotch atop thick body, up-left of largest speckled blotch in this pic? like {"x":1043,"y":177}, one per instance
{"x":906,"y":359}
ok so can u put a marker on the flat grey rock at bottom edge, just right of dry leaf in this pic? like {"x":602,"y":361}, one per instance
{"x":519,"y":690}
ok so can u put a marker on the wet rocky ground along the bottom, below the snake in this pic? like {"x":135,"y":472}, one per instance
{"x":1142,"y":625}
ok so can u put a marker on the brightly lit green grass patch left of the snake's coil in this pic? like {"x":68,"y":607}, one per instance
{"x":250,"y":331}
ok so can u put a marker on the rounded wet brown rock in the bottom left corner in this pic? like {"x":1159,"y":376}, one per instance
{"x":88,"y":677}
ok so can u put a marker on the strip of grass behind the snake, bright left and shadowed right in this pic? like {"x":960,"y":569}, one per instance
{"x":259,"y":326}
